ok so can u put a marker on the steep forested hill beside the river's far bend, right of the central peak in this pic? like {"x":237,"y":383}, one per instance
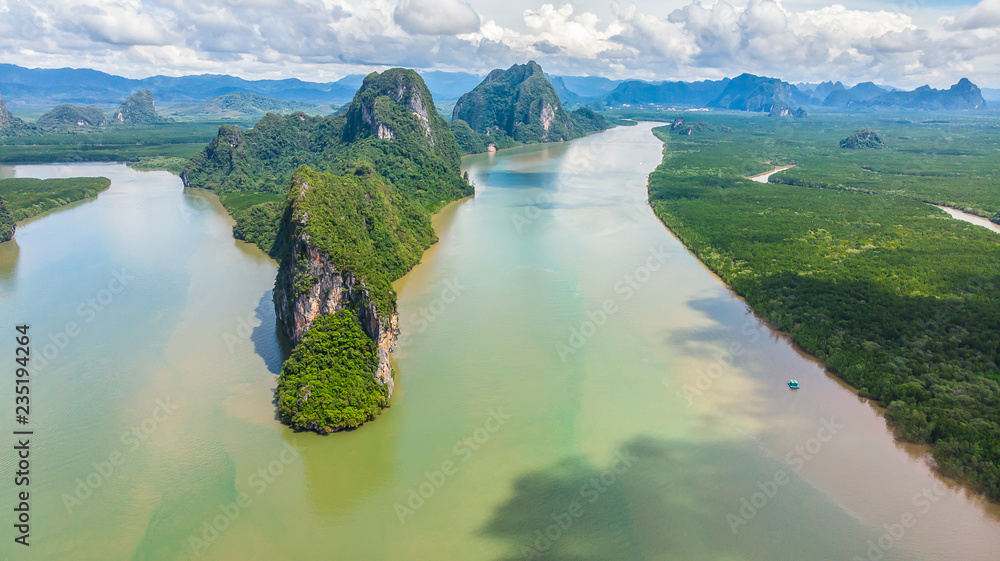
{"x":514,"y":106}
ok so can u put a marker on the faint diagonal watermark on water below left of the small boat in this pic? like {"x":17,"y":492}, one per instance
{"x":795,"y":460}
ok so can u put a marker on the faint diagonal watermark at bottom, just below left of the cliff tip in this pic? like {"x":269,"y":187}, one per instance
{"x":228,"y":513}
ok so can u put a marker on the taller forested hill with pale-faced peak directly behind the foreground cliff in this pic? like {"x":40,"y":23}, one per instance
{"x":391,"y":125}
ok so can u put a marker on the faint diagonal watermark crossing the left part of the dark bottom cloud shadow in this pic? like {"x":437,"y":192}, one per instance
{"x":590,"y":492}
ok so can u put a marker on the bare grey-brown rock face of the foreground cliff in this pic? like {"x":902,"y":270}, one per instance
{"x":330,"y":290}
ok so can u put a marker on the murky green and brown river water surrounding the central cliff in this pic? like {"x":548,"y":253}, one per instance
{"x":565,"y":368}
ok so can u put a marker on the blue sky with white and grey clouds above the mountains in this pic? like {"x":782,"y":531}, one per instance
{"x":905,"y":43}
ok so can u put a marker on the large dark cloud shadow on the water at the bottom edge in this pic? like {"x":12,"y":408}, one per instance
{"x":670,"y":500}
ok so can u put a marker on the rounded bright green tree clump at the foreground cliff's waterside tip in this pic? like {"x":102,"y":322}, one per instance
{"x":329,"y":381}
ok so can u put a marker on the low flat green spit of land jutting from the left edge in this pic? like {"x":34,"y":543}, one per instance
{"x":25,"y":197}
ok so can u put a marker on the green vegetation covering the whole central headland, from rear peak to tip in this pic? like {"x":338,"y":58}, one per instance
{"x":363,"y":186}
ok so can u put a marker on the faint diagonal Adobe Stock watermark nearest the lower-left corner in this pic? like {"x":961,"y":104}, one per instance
{"x":131,"y":440}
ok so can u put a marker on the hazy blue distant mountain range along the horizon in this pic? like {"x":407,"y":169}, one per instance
{"x":34,"y":91}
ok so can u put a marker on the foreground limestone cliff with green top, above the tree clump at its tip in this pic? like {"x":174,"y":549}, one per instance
{"x":344,"y":243}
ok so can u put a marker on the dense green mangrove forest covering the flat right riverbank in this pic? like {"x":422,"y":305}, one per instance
{"x":890,"y":293}
